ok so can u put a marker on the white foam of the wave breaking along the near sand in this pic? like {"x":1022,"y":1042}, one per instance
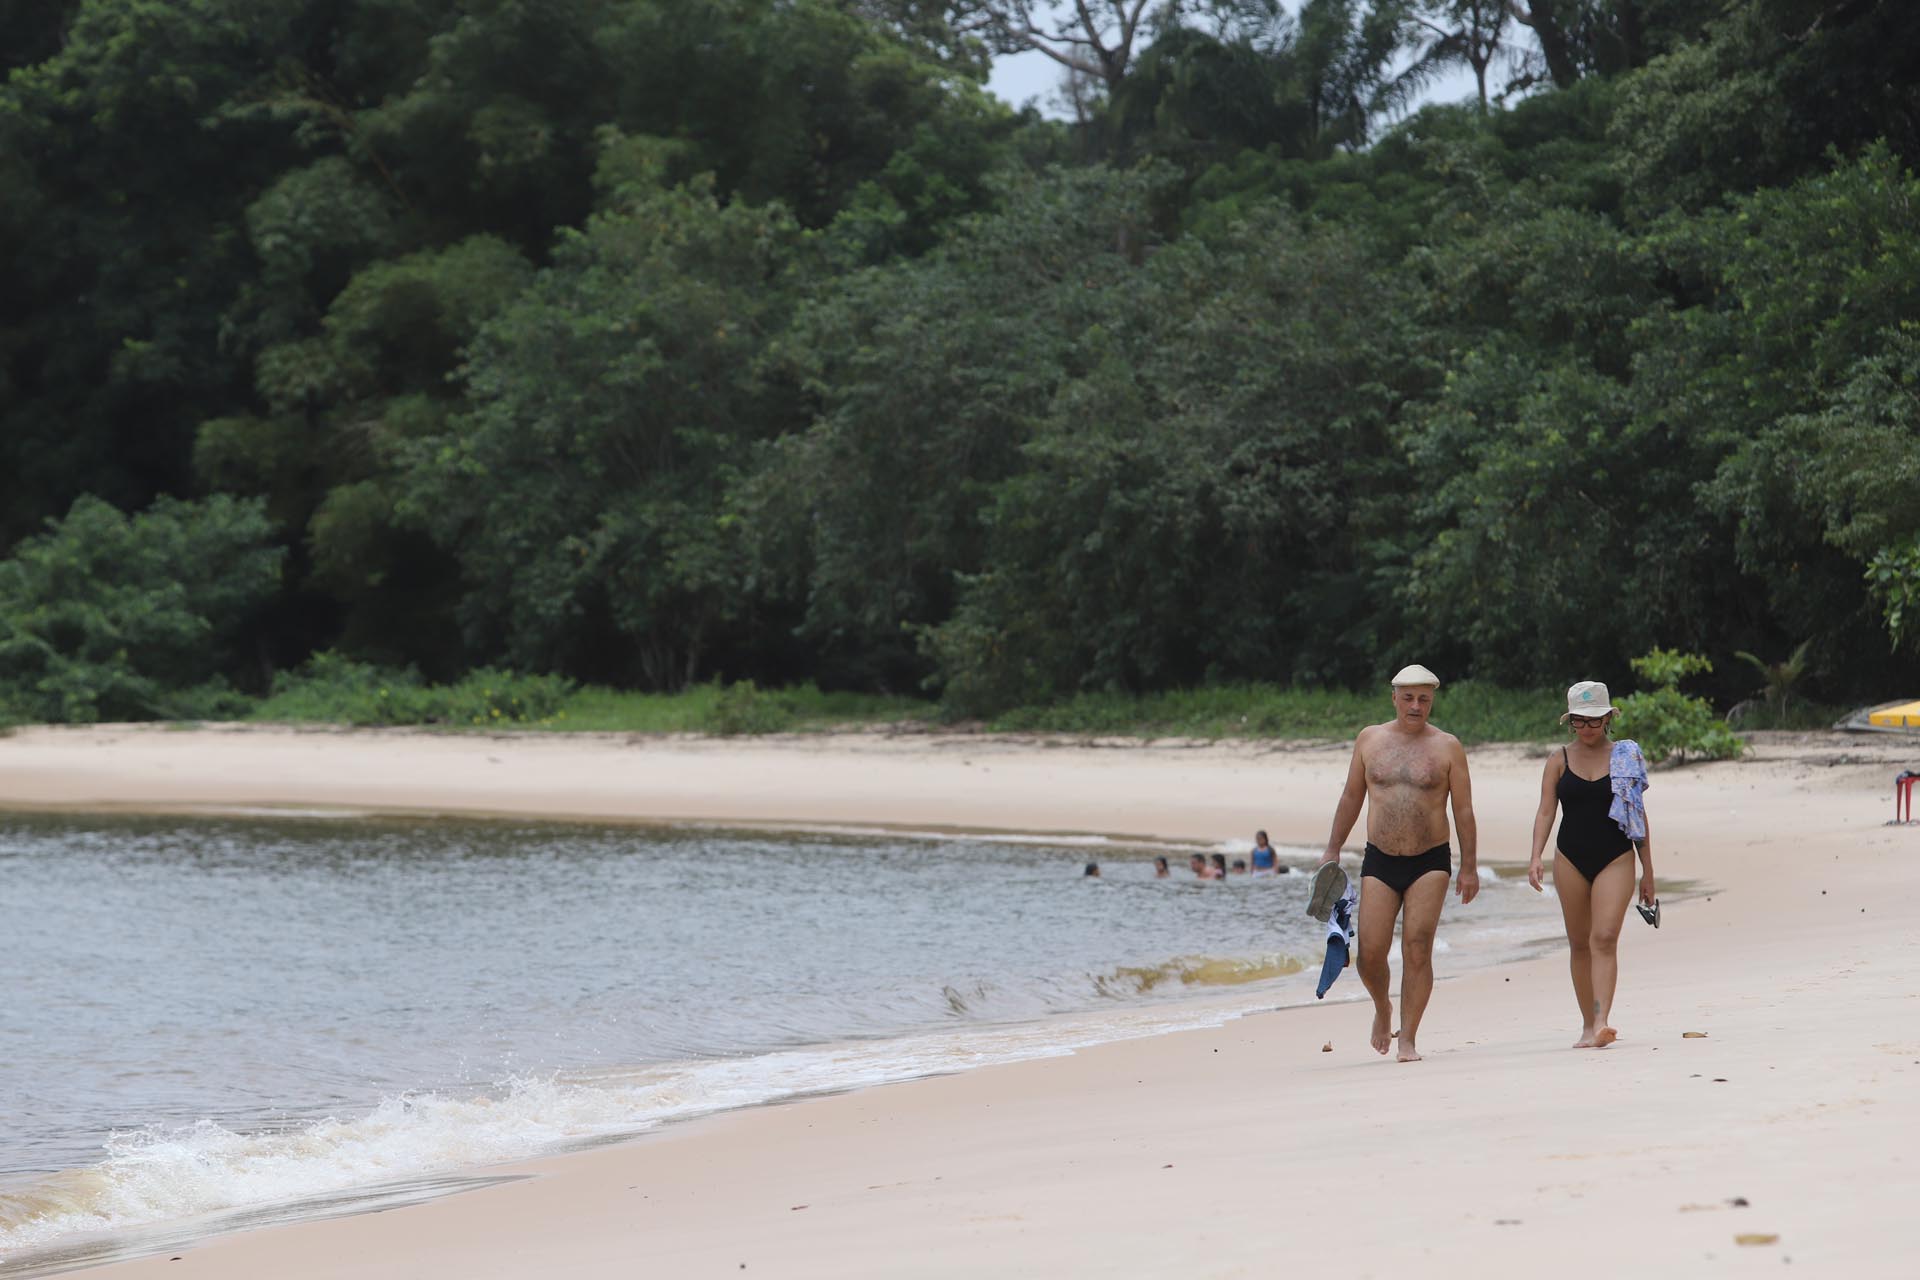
{"x":162,"y":1175}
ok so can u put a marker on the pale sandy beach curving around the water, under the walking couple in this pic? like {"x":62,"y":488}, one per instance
{"x":1783,"y":1135}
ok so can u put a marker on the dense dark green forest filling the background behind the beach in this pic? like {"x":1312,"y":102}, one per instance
{"x":658,"y":343}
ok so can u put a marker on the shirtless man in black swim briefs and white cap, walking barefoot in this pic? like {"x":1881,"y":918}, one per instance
{"x":1406,"y":770}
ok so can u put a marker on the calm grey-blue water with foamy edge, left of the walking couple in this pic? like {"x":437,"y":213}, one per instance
{"x":214,"y":1014}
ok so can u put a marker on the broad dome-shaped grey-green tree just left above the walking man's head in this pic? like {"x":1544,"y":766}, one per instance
{"x":1197,"y":502}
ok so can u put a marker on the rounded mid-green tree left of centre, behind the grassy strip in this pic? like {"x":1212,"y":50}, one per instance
{"x":583,"y":492}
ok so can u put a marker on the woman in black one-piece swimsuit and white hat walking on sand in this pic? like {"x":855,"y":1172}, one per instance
{"x":1596,"y":784}
